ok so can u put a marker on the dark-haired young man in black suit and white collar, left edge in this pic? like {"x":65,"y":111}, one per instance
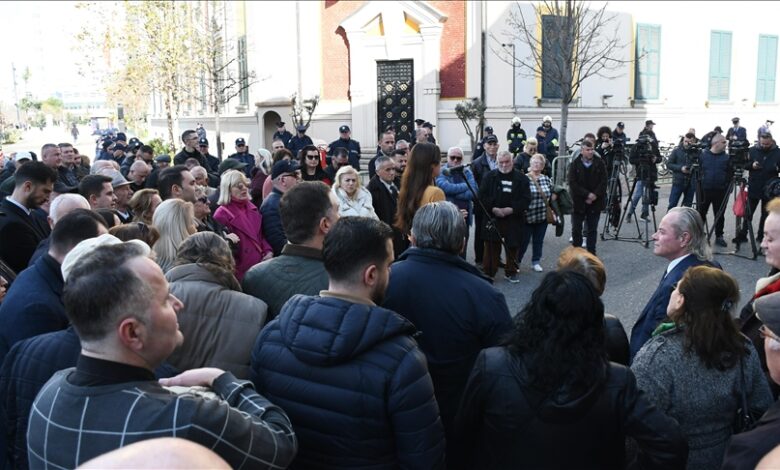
{"x":20,"y":232}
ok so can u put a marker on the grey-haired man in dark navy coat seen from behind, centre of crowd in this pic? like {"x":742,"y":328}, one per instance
{"x":456,"y":321}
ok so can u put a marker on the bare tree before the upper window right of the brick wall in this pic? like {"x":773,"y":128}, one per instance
{"x":576,"y":43}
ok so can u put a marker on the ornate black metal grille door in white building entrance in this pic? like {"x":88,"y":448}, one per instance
{"x":395,"y":97}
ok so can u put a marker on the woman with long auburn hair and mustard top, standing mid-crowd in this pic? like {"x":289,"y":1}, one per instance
{"x":417,"y":184}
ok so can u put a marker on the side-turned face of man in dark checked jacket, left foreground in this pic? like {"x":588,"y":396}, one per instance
{"x":161,"y":332}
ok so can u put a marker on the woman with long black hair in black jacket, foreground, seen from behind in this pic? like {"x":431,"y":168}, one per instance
{"x":548,"y":398}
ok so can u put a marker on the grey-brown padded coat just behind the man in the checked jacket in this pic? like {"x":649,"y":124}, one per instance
{"x":219,"y":325}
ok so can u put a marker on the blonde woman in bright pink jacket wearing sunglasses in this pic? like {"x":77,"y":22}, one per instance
{"x":240,"y":216}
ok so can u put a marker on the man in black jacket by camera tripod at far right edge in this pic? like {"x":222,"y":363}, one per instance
{"x":763,"y":166}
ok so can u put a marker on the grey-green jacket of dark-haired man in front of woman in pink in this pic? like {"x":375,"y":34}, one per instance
{"x":299,"y":270}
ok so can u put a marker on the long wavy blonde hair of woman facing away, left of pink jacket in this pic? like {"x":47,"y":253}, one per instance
{"x":173,"y":219}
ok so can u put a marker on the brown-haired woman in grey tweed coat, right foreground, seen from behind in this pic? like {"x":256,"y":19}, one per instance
{"x":693,"y":367}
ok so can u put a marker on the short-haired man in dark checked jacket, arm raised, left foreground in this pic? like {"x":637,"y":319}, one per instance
{"x":119,"y":303}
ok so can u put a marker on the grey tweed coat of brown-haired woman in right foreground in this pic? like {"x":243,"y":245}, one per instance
{"x":703,"y":401}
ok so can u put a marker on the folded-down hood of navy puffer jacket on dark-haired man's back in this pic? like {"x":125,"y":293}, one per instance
{"x":326,"y":331}
